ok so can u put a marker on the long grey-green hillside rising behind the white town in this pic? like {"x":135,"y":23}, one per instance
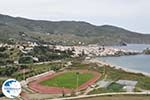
{"x":65,"y":32}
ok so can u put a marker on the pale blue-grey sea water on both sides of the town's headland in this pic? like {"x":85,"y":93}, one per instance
{"x":136,"y":62}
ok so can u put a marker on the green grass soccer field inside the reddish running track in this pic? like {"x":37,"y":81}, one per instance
{"x":68,"y":80}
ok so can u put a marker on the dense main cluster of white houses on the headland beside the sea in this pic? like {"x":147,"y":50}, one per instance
{"x":91,"y":51}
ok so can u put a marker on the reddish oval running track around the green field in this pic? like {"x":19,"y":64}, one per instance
{"x":36,"y":86}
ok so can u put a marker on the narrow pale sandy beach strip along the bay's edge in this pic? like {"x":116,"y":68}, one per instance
{"x":94,"y":60}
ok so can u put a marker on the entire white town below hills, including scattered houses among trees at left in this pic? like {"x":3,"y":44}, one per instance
{"x":88,"y":51}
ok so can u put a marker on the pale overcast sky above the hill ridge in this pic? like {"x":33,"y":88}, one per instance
{"x":133,"y":15}
